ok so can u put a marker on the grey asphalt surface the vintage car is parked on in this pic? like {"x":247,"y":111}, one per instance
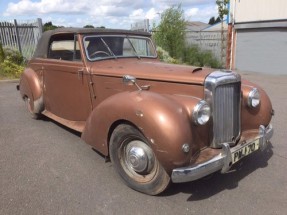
{"x":47,"y":169}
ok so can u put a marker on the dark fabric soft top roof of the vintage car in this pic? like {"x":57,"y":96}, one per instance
{"x":43,"y":44}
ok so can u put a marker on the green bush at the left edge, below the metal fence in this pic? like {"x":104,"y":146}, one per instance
{"x":11,"y":63}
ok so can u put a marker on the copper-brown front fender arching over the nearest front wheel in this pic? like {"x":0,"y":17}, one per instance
{"x":166,"y":125}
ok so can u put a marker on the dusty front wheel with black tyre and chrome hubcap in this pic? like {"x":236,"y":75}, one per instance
{"x":135,"y":161}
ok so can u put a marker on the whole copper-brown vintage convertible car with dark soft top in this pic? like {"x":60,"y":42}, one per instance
{"x":157,"y":122}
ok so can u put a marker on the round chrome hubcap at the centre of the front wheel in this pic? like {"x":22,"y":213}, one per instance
{"x":139,"y":157}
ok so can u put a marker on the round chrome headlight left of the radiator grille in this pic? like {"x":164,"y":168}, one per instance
{"x":201,"y":113}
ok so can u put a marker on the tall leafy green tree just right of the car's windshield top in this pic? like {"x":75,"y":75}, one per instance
{"x":169,"y":34}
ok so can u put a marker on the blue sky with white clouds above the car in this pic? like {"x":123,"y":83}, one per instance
{"x":109,"y":13}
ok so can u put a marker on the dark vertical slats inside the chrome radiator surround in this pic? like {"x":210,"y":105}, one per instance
{"x":226,"y":111}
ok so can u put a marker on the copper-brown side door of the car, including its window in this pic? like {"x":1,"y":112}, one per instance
{"x":66,"y":89}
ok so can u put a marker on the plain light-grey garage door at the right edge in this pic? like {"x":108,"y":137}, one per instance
{"x":262,"y":50}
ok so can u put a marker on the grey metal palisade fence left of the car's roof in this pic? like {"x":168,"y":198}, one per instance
{"x":21,"y":35}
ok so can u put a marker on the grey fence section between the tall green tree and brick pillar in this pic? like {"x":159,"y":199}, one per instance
{"x":214,"y":41}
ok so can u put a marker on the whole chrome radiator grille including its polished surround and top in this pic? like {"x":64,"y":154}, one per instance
{"x":222,"y":92}
